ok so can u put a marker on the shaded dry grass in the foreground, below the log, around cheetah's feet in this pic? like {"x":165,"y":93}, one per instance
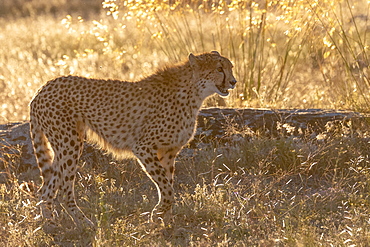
{"x":260,"y":192}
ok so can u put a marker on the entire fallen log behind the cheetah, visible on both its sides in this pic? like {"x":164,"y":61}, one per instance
{"x":214,"y":124}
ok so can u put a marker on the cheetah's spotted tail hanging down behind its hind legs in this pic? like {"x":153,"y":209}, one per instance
{"x":43,"y":151}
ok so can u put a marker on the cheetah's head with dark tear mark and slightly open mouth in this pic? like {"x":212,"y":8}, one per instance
{"x":213,"y":72}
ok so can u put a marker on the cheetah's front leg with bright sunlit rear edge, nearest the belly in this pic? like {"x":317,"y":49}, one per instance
{"x":149,"y":161}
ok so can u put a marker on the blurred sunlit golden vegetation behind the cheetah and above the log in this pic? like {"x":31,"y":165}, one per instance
{"x":287,"y":54}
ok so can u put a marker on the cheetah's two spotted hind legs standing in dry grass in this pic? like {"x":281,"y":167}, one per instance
{"x":59,"y":178}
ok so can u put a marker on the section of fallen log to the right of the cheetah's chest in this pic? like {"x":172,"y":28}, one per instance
{"x":215,"y":122}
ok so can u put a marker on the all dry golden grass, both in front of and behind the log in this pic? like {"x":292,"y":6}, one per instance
{"x":256,"y":192}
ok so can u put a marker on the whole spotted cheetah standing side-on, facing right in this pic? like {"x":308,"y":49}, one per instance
{"x":152,"y":119}
